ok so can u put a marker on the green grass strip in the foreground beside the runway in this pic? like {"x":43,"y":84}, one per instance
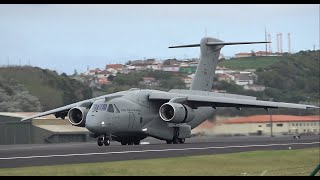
{"x":280,"y":162}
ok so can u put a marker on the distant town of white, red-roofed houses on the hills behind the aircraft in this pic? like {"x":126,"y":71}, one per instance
{"x":186,"y":67}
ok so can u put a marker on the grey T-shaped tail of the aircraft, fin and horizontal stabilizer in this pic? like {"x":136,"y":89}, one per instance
{"x":210,"y":52}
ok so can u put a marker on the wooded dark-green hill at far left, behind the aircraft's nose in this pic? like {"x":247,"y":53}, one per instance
{"x":51,"y":90}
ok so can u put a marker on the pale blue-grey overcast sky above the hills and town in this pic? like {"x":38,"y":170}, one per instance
{"x":67,"y":37}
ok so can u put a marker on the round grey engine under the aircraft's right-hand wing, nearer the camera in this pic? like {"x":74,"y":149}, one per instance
{"x":176,"y":113}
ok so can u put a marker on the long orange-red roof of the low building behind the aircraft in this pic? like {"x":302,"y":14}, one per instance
{"x":275,"y":118}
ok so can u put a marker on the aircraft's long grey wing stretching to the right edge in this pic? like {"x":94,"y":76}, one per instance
{"x":224,"y":101}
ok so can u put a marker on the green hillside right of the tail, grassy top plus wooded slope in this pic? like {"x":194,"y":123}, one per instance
{"x":291,"y":78}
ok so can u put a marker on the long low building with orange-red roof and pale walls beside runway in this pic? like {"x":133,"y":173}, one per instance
{"x":261,"y":125}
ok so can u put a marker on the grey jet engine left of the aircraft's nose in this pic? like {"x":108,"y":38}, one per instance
{"x":77,"y":116}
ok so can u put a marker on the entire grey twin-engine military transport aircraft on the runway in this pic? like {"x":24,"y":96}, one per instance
{"x":132,"y":115}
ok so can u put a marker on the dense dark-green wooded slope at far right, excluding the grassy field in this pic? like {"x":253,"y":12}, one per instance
{"x":294,"y":79}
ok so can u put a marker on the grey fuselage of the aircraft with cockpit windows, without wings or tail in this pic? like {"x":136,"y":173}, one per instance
{"x":134,"y":115}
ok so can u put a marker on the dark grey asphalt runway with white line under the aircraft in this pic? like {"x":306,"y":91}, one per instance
{"x":56,"y":154}
